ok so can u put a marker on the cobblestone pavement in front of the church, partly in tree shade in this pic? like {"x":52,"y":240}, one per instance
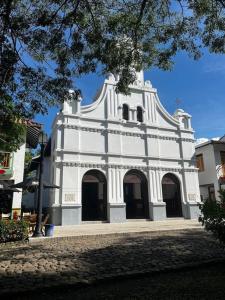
{"x":86,"y":259}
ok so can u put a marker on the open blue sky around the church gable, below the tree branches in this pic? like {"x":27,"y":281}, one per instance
{"x":200,"y":85}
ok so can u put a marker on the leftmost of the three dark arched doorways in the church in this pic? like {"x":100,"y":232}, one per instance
{"x":94,"y":196}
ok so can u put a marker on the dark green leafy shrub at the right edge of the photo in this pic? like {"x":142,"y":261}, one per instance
{"x":213,"y":216}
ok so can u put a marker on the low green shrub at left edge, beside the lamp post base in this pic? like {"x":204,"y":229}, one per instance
{"x":13,"y":230}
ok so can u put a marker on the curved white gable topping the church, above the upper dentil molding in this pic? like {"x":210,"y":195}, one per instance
{"x":108,"y":105}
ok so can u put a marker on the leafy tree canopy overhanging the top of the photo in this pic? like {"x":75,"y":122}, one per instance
{"x":45,"y":45}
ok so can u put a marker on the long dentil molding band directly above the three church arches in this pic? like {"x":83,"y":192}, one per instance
{"x":119,"y":166}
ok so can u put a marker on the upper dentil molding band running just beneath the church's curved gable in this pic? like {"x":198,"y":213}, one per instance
{"x":127,"y":133}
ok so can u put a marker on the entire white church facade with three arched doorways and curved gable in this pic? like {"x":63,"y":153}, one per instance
{"x":122,"y":157}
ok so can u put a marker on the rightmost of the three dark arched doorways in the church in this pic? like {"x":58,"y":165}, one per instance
{"x":171,"y":195}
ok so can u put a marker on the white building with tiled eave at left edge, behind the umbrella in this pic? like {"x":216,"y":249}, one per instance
{"x":12,"y":168}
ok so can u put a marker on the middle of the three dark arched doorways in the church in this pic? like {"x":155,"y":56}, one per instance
{"x":136,"y":195}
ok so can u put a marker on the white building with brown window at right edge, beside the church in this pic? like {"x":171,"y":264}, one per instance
{"x":210,"y":159}
